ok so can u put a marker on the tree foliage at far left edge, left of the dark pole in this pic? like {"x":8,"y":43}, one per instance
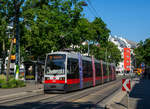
{"x":5,"y":21}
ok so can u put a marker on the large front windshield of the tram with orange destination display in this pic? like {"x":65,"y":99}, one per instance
{"x":55,"y":64}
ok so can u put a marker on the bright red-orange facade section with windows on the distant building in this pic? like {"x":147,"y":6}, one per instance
{"x":127,"y":59}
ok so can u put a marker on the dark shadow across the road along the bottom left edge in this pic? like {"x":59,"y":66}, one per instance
{"x":54,"y":105}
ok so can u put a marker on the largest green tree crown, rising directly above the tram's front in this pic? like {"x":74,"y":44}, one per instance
{"x":49,"y":26}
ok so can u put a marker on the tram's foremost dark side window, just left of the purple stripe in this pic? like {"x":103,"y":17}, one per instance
{"x":72,"y":68}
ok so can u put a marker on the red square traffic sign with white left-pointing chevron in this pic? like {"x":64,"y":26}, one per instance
{"x":126,"y":85}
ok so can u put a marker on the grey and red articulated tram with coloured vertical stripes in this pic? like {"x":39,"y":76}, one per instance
{"x":65,"y":71}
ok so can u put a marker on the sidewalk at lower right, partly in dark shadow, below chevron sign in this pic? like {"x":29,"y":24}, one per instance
{"x":139,"y":97}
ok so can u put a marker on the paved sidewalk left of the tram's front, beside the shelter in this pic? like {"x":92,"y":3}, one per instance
{"x":30,"y":87}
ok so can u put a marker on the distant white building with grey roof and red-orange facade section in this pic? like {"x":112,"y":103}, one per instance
{"x":126,"y":47}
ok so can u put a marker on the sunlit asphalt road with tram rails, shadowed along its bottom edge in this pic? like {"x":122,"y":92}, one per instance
{"x":89,"y":98}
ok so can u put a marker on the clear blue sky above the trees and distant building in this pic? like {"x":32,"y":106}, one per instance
{"x":129,"y":19}
